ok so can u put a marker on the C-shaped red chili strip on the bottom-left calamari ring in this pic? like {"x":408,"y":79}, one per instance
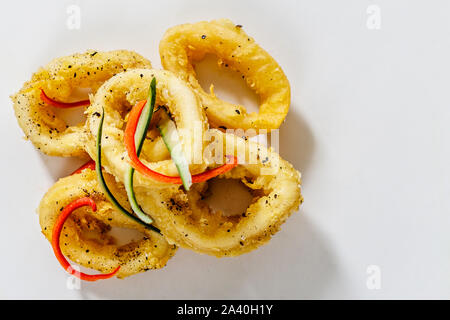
{"x":86,"y":201}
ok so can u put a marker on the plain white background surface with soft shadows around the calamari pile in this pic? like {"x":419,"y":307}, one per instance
{"x":368,"y":128}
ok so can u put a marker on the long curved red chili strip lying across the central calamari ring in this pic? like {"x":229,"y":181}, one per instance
{"x":130,"y":145}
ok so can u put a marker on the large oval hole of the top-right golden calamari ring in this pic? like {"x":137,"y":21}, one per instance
{"x":229,"y":84}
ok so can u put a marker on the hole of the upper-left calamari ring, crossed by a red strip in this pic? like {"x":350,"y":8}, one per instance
{"x":73,"y":116}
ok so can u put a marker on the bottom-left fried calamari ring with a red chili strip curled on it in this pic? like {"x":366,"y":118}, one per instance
{"x":84,"y":237}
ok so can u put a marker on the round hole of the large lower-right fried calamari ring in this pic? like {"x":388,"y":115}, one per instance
{"x":230,"y":197}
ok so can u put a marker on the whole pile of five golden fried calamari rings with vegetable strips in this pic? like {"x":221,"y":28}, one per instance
{"x":77,"y":214}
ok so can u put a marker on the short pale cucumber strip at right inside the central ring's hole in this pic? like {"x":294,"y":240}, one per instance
{"x":172,"y":141}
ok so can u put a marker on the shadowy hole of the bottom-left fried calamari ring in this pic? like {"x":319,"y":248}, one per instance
{"x":90,"y":229}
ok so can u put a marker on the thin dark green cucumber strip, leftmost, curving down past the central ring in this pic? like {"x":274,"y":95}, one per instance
{"x":102,"y":182}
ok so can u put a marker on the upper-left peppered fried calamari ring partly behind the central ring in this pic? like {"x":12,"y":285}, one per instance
{"x":58,"y":79}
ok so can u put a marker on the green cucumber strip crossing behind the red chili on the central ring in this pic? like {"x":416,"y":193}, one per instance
{"x":139,"y":138}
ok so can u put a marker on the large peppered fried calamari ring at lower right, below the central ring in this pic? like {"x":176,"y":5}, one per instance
{"x":188,"y":222}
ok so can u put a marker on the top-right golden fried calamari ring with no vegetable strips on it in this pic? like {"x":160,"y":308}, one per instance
{"x":235,"y":50}
